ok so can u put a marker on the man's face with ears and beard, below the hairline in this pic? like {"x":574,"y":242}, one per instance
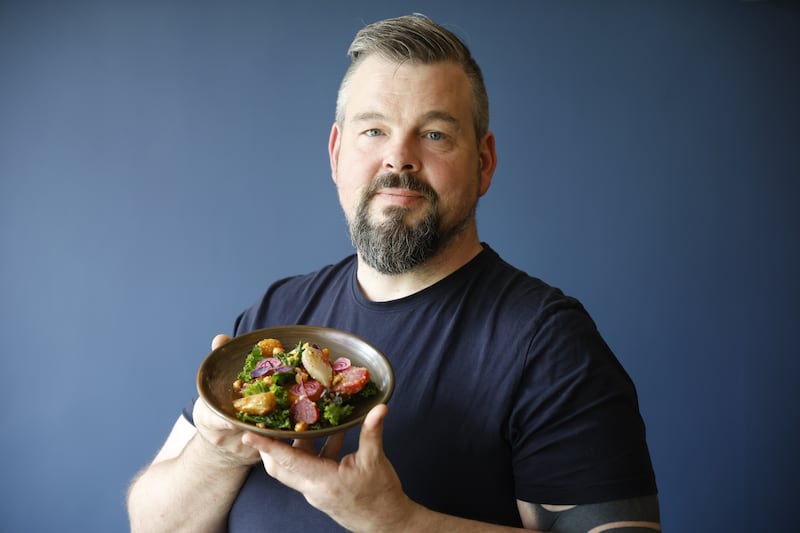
{"x":406,"y":163}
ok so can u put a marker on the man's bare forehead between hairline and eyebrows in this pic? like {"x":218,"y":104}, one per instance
{"x":379,"y":85}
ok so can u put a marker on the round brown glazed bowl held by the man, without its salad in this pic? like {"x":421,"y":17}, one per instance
{"x":220,"y":368}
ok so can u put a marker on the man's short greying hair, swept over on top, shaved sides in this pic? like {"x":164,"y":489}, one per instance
{"x":416,"y":39}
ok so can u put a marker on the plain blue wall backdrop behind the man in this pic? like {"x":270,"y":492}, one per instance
{"x":153,"y":156}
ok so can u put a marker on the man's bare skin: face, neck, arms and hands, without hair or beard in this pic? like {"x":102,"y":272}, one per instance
{"x":406,"y":118}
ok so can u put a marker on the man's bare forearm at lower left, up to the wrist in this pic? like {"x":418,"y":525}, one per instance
{"x":193,"y":491}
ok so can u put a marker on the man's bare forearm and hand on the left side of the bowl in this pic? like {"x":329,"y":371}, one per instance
{"x":195,"y":477}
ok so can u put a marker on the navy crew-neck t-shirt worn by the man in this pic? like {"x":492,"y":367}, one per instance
{"x":504,"y":390}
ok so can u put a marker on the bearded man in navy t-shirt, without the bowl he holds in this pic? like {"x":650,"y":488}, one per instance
{"x":509,"y":409}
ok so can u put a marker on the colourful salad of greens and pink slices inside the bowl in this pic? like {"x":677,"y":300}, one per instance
{"x":300,"y":389}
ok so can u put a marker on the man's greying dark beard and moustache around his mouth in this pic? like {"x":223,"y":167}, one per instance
{"x":393,"y":246}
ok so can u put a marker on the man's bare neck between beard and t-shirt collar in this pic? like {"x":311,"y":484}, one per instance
{"x":380,"y":287}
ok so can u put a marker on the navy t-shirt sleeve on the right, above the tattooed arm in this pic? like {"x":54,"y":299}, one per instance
{"x":576,"y":432}
